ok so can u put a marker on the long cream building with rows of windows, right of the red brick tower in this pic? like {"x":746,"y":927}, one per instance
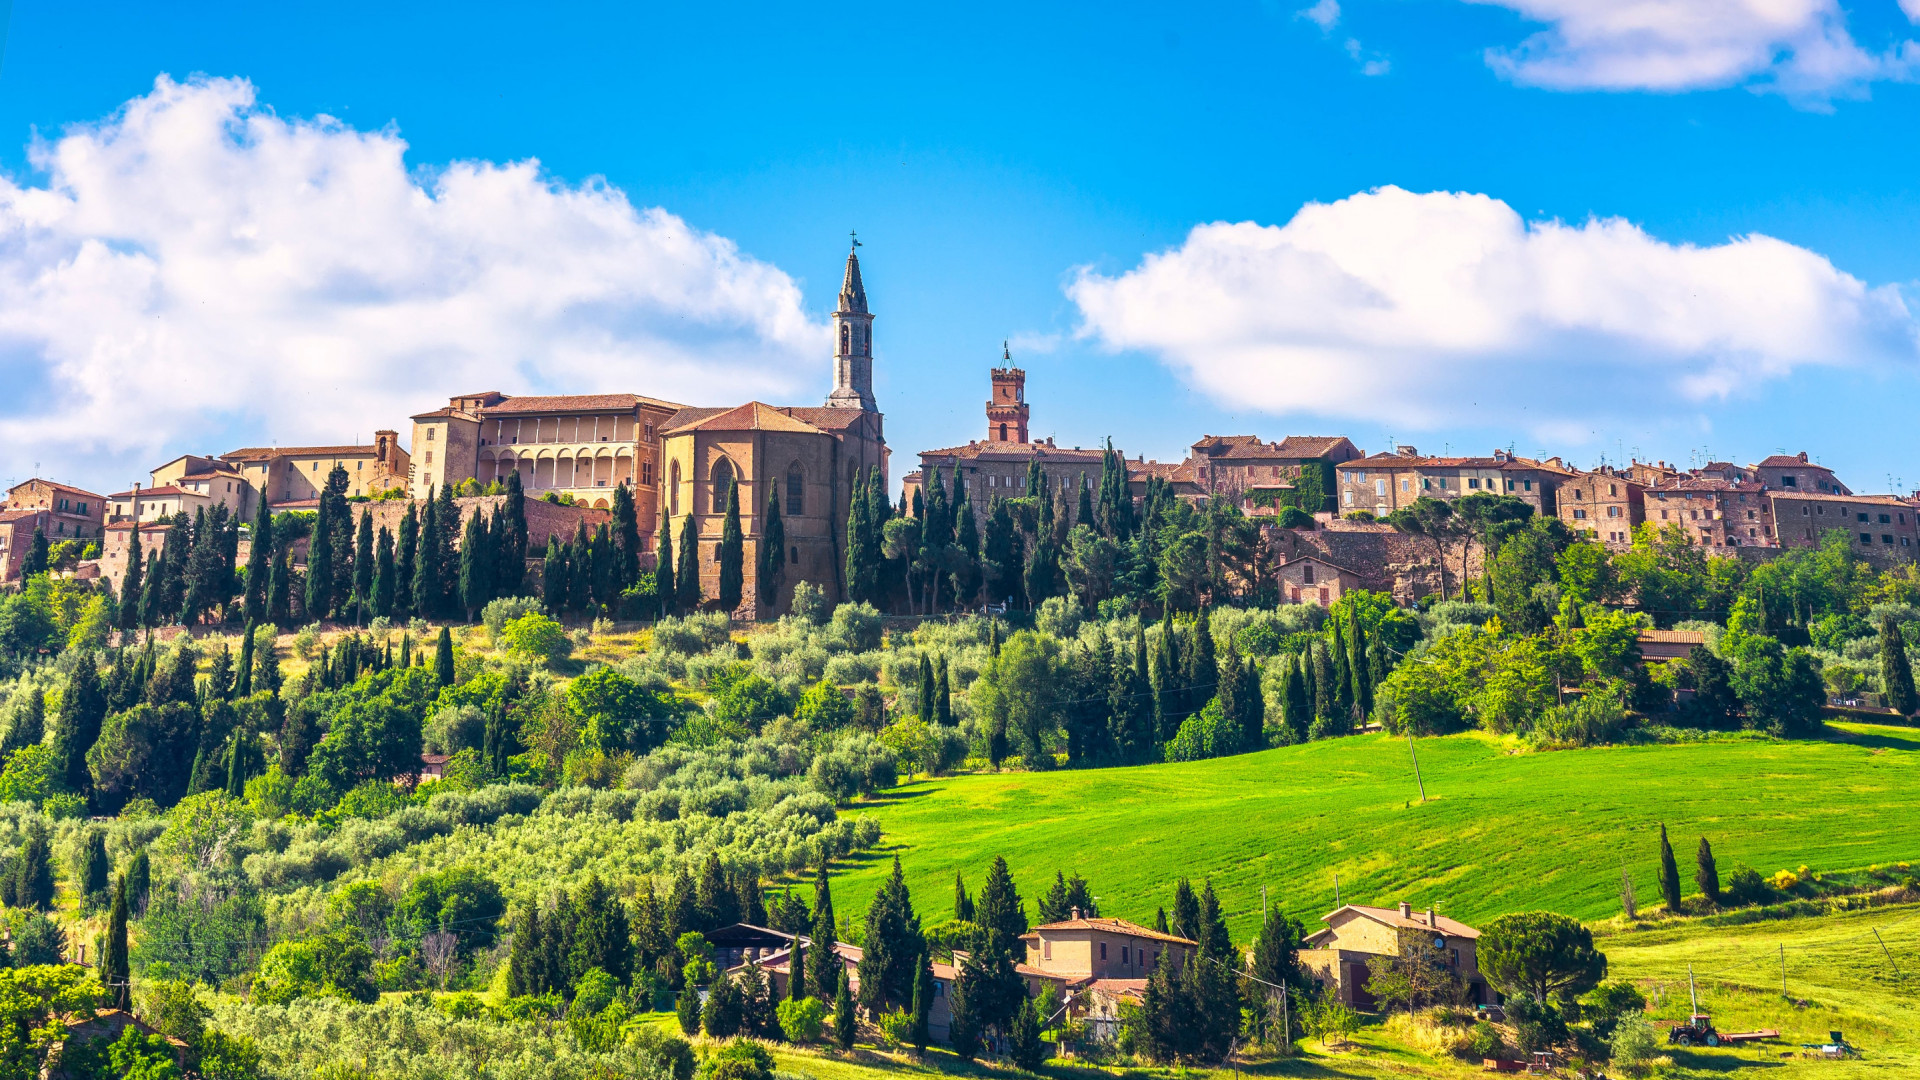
{"x":1385,"y":483}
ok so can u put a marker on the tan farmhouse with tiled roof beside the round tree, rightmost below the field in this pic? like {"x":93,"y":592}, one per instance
{"x":1337,"y":956}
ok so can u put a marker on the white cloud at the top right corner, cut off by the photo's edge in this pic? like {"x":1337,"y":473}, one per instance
{"x":1796,"y":47}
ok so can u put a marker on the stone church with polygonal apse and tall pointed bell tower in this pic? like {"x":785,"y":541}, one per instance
{"x":809,"y":454}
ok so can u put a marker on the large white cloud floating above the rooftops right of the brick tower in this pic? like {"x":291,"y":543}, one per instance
{"x":1445,"y":308}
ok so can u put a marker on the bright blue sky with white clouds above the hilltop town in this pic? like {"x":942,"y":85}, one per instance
{"x":1011,"y":172}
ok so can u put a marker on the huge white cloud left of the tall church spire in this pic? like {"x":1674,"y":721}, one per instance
{"x":197,"y":264}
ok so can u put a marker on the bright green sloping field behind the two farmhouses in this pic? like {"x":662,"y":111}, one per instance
{"x":1502,"y":831}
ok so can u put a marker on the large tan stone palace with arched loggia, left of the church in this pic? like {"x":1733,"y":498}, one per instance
{"x":577,"y":445}
